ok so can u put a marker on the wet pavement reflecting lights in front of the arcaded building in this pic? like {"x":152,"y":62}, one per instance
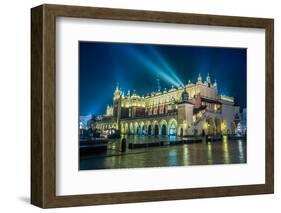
{"x":202,"y":153}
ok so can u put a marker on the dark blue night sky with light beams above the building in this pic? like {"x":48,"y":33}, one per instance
{"x":136,"y":67}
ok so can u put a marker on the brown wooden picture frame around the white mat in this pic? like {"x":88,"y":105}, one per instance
{"x":43,"y":105}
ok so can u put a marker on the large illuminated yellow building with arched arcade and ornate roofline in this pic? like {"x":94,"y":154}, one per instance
{"x":193,"y":109}
